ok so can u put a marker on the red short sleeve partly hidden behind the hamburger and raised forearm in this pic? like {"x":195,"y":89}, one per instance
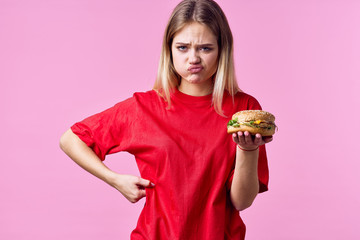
{"x":263,"y":170}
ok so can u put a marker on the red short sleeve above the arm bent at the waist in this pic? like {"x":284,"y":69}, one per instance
{"x":108,"y":131}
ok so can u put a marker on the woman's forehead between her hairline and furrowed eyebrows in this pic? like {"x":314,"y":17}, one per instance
{"x":195,"y":33}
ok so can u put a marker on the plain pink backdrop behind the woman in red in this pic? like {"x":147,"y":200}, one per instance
{"x":63,"y":60}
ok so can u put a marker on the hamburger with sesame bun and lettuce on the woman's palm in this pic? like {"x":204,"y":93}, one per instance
{"x":253,"y":121}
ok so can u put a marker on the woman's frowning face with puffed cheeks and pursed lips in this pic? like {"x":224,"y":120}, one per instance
{"x":195,"y":54}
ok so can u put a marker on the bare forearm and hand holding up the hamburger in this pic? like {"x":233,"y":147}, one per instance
{"x":245,"y":183}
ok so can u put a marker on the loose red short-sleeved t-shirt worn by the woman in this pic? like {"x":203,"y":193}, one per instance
{"x":186,"y":151}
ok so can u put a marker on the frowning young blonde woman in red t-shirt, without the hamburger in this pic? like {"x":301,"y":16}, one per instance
{"x":196,"y":177}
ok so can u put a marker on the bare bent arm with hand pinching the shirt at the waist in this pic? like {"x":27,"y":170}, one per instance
{"x":132,"y":187}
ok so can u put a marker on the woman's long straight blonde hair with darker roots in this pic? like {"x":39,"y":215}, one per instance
{"x":209,"y":13}
